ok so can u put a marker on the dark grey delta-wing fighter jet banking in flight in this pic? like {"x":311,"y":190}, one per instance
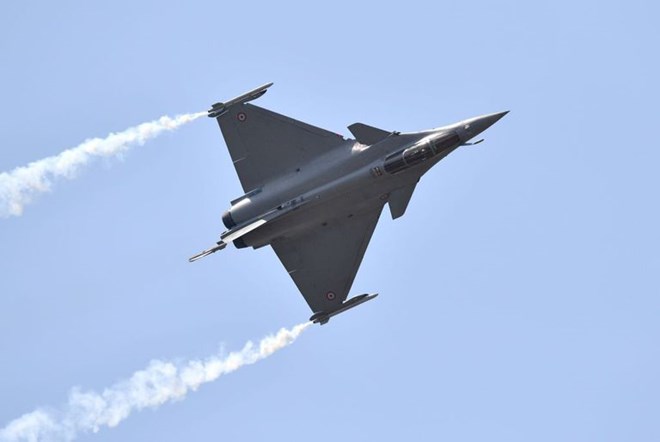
{"x":315,"y":197}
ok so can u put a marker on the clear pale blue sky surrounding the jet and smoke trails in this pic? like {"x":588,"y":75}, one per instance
{"x":519,"y":295}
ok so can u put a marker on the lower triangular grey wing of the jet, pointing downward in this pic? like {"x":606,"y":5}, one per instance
{"x":323,"y":261}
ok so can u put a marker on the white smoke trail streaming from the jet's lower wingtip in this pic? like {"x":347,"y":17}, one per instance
{"x":160,"y":382}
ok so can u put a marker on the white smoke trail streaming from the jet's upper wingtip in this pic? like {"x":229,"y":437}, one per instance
{"x":18,"y":187}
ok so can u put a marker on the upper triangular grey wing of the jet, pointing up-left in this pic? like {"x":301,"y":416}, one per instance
{"x":265,"y":145}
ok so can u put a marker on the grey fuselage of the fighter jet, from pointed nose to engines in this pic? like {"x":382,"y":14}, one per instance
{"x":352,"y":172}
